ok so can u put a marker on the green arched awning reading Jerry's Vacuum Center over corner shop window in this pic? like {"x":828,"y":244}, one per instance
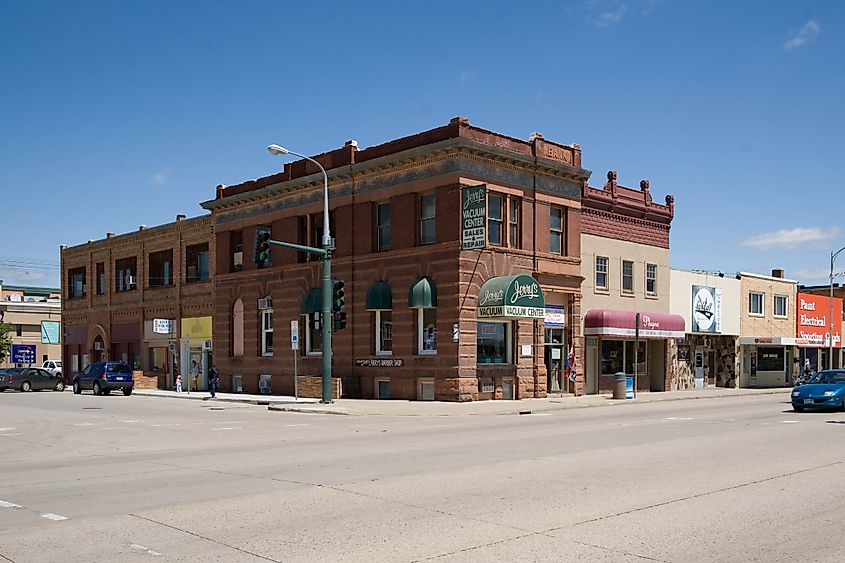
{"x":511,"y":297}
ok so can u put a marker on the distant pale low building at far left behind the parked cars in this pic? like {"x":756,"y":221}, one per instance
{"x":35,"y":316}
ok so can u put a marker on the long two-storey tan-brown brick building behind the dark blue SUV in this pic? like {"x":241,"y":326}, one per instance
{"x":144,"y":297}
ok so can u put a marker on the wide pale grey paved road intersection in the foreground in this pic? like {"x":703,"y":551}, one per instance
{"x":114,"y":479}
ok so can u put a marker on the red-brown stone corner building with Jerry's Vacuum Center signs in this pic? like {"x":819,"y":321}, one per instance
{"x":415,"y":329}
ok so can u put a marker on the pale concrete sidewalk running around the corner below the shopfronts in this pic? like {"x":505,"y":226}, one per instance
{"x":372,"y":407}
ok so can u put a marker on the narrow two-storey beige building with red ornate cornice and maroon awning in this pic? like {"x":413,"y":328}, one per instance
{"x":625,"y":257}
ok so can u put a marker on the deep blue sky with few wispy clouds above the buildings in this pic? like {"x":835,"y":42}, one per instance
{"x":115,"y":114}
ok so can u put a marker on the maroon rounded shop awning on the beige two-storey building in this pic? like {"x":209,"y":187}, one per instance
{"x":610,"y":322}
